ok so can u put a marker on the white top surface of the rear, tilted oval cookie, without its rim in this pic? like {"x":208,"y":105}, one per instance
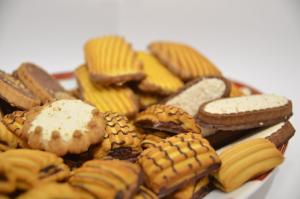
{"x":192,"y":98}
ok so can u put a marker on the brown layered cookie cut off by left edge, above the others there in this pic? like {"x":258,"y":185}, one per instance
{"x":15,"y":93}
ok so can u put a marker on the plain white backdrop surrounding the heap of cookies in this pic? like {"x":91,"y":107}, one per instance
{"x":257,"y":42}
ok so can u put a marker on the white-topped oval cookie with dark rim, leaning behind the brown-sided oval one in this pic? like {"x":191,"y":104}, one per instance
{"x":199,"y":91}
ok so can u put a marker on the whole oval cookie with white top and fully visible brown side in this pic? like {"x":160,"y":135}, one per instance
{"x":244,"y":112}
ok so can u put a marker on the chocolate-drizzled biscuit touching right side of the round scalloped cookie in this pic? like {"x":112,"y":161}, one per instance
{"x":121,"y":139}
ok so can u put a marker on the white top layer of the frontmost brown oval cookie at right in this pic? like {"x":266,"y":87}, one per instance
{"x":245,"y":103}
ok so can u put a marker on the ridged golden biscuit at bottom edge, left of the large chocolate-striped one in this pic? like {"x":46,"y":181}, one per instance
{"x":107,"y":178}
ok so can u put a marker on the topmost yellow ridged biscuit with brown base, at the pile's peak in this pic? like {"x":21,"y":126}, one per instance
{"x":111,"y":60}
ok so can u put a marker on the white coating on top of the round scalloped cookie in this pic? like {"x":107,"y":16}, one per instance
{"x":64,"y":116}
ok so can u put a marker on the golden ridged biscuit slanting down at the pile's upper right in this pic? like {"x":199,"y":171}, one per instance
{"x":183,"y":60}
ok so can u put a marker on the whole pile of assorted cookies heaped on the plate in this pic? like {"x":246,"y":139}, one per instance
{"x":159,"y":124}
